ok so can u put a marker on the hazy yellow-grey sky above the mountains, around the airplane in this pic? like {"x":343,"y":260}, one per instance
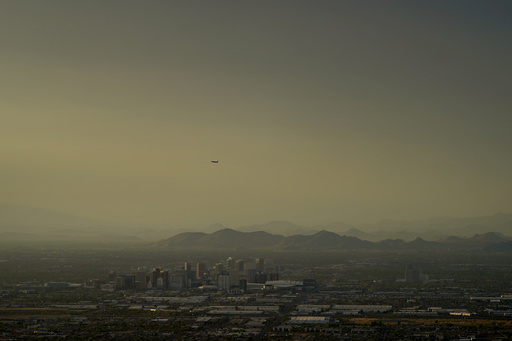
{"x":319,"y":111}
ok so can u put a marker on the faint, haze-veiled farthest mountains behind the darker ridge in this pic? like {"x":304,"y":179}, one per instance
{"x":21,"y":223}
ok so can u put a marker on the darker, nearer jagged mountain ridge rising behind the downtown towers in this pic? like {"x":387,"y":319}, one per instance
{"x":326,"y":241}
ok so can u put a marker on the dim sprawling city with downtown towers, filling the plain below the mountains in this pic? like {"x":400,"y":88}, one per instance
{"x":342,"y":296}
